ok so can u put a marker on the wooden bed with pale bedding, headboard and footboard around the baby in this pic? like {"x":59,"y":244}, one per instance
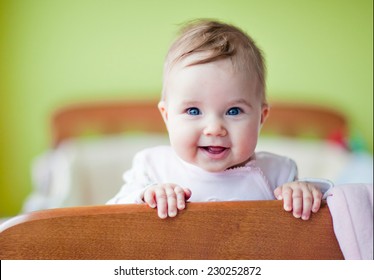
{"x":93,"y":143}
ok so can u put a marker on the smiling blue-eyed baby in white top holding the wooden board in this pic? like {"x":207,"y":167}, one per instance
{"x":214,"y":104}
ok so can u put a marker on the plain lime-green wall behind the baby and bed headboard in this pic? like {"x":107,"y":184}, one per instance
{"x":57,"y":52}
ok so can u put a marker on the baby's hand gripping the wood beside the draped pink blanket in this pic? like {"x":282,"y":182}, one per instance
{"x":301,"y":197}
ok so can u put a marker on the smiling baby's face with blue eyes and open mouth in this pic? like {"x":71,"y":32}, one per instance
{"x":213,"y":115}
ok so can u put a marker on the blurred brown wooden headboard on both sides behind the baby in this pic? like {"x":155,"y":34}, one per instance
{"x":120,"y":116}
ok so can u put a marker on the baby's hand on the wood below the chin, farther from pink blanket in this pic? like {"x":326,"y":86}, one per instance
{"x":168,"y":198}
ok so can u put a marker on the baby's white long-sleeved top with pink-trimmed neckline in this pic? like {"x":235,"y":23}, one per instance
{"x":254,"y":181}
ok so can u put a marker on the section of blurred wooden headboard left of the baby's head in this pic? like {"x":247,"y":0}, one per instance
{"x":109,"y":117}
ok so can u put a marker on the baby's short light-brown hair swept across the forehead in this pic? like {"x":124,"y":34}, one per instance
{"x":217,"y":40}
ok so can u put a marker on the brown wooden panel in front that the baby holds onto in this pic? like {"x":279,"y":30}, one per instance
{"x":209,"y":230}
